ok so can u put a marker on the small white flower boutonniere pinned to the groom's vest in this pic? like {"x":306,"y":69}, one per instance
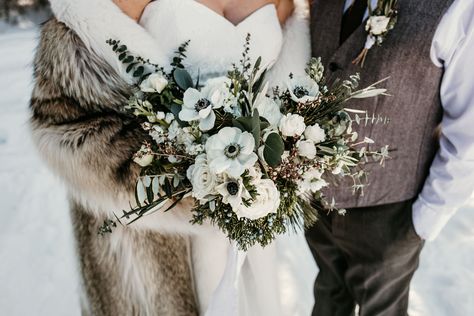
{"x":381,"y":20}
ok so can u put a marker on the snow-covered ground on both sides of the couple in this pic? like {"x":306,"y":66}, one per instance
{"x":37,"y":266}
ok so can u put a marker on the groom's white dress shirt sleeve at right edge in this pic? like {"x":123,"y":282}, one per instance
{"x":451,"y":179}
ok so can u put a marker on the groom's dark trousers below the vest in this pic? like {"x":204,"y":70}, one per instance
{"x":366,"y":257}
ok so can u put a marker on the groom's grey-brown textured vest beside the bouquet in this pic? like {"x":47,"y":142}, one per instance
{"x":414,"y":109}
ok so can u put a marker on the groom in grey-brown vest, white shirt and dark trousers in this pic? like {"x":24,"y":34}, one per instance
{"x":368,"y":256}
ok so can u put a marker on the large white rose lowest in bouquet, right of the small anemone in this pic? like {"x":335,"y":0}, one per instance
{"x":267,"y":201}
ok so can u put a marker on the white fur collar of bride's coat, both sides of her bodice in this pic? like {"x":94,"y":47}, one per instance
{"x":96,"y":21}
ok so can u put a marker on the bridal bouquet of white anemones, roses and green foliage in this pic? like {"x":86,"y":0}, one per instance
{"x":252,"y":158}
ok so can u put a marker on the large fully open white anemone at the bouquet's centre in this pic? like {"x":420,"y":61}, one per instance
{"x":231,"y":151}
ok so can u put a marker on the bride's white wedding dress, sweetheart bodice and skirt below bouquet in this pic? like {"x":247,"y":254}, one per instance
{"x":278,"y":279}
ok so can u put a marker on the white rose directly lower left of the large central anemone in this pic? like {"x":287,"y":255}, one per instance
{"x":204,"y":181}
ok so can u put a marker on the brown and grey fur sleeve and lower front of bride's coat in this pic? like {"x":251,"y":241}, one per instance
{"x":88,"y":142}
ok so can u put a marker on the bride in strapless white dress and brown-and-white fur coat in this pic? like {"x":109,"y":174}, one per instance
{"x":160,"y":265}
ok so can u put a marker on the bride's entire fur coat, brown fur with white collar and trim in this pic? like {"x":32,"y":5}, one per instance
{"x":83,"y":136}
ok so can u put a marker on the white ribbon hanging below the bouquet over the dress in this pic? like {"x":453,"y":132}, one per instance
{"x":225,"y":299}
